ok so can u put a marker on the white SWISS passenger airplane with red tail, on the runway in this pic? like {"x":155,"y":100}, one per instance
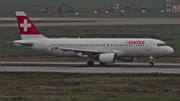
{"x":104,"y":50}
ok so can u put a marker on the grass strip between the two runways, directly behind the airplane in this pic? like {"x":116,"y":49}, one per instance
{"x":168,"y":33}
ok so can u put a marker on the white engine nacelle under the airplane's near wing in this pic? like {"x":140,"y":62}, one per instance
{"x":108,"y":58}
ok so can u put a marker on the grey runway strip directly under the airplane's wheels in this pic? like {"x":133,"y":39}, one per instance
{"x":80,"y":67}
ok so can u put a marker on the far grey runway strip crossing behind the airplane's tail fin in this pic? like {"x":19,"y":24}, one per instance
{"x":54,"y":21}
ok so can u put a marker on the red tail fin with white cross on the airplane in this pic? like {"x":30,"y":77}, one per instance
{"x":25,"y":24}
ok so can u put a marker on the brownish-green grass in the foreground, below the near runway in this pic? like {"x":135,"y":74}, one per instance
{"x":30,"y":86}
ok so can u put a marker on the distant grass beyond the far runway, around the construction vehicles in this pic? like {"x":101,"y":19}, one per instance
{"x":84,"y":7}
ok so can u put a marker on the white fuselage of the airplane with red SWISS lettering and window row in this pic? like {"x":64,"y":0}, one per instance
{"x":132,"y":47}
